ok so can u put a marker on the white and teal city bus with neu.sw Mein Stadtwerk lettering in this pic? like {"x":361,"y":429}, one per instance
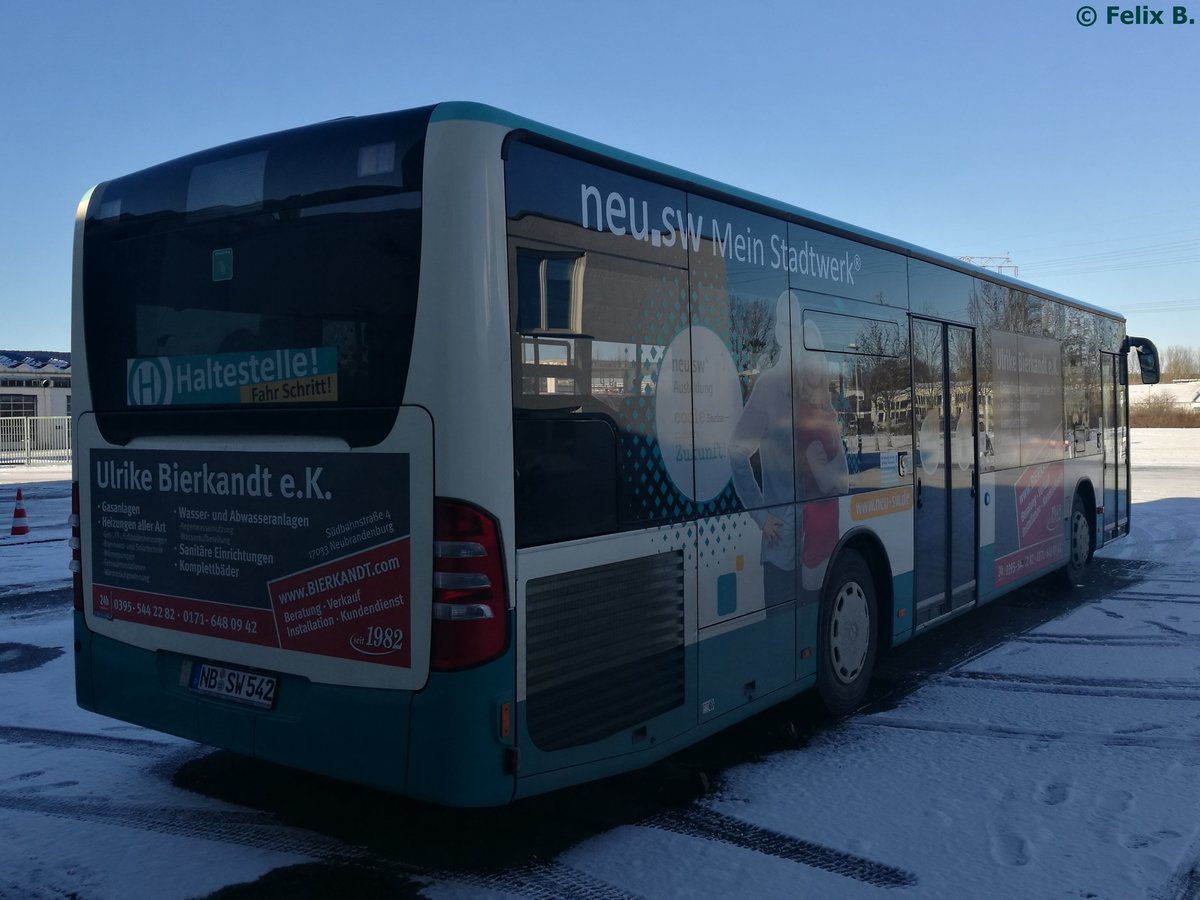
{"x":454,"y":455}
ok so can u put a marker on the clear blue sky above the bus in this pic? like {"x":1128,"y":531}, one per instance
{"x":968,"y":128}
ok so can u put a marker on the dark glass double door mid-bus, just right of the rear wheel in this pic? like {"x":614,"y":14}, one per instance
{"x":945,"y":423}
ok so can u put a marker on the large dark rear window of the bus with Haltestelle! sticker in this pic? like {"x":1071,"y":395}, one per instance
{"x":249,"y":273}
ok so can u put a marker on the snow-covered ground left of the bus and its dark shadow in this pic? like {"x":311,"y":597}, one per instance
{"x":87,"y":807}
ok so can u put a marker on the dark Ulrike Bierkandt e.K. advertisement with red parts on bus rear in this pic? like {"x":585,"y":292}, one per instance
{"x":304,"y":553}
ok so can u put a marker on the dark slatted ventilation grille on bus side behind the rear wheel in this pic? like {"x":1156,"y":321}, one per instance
{"x":605,"y":650}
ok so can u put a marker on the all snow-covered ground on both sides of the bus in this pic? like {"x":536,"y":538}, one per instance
{"x":1064,"y":764}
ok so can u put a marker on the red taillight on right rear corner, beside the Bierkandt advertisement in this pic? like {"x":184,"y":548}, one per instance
{"x":471,"y":605}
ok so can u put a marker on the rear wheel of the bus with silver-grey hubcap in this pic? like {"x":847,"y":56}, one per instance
{"x":848,"y":635}
